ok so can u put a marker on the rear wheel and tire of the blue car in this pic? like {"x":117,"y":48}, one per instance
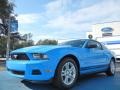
{"x":111,"y":69}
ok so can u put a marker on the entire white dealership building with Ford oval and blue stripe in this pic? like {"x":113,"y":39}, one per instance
{"x":108,"y":34}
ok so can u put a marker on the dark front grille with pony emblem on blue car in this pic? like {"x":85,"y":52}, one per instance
{"x":19,"y":56}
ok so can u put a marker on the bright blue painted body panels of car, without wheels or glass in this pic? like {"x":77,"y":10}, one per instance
{"x":90,"y":60}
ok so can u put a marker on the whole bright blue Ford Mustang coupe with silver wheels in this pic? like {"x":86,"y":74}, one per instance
{"x":61,"y":63}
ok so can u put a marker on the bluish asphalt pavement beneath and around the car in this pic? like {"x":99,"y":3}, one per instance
{"x":89,"y":82}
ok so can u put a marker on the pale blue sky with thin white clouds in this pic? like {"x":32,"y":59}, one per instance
{"x":63,"y":19}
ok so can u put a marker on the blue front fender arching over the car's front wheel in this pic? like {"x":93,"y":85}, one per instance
{"x":57,"y":55}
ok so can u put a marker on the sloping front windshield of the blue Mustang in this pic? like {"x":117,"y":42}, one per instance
{"x":74,"y":43}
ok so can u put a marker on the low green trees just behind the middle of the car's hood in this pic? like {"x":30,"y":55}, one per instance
{"x":47,"y":42}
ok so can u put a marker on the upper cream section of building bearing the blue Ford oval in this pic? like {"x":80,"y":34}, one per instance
{"x":106,"y":29}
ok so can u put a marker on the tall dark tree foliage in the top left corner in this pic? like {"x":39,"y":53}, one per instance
{"x":6,"y":9}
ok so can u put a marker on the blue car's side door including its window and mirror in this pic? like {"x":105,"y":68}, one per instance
{"x":95,"y":57}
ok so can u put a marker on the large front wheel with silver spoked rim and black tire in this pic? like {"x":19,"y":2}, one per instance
{"x":66,"y":74}
